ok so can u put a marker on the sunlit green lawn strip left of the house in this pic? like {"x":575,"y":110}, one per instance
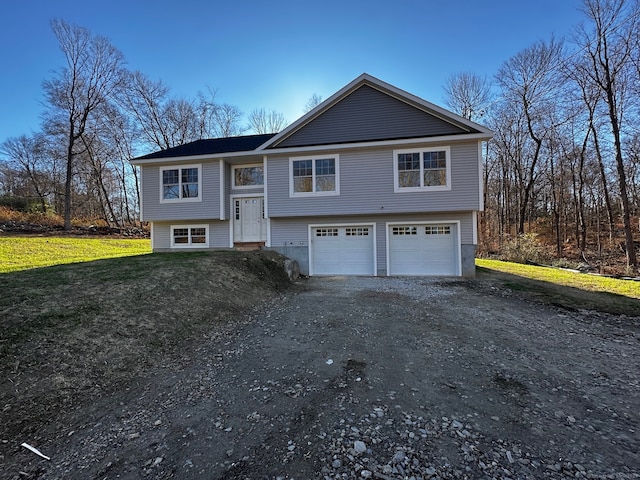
{"x":25,"y":252}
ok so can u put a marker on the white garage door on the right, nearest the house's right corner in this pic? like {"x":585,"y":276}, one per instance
{"x":423,"y":249}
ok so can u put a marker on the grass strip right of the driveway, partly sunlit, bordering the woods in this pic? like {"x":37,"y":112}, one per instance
{"x":565,"y":288}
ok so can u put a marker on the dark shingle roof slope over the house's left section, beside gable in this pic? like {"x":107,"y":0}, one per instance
{"x":211,"y":146}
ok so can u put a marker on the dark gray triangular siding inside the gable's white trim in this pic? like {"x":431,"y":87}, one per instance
{"x":368,"y":114}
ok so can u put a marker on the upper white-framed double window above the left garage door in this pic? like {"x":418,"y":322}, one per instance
{"x":314,"y":176}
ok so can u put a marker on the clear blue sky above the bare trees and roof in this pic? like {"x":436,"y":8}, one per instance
{"x":275,"y":54}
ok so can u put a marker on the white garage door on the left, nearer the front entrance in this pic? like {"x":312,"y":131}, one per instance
{"x":341,"y":250}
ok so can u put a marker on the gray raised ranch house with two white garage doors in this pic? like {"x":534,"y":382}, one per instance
{"x":373,"y":181}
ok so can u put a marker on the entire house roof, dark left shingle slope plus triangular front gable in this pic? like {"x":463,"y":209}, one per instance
{"x":365,"y":110}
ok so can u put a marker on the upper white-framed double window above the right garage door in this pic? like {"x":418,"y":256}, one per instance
{"x":422,"y":169}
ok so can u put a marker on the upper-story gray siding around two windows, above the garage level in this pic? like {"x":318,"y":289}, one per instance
{"x":367,"y":186}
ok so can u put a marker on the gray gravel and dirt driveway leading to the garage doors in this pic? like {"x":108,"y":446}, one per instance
{"x":384,"y":378}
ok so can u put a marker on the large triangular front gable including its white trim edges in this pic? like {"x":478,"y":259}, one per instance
{"x":370,"y":110}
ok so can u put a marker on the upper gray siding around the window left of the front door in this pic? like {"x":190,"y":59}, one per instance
{"x":209,"y":207}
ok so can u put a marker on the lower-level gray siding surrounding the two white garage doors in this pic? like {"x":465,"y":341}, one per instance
{"x":294,"y":233}
